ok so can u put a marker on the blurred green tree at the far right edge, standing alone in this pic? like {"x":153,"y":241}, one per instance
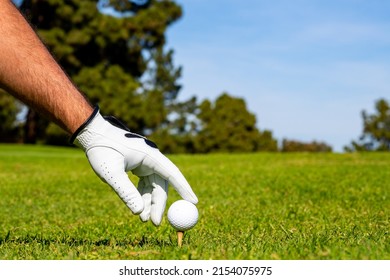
{"x":376,"y":130}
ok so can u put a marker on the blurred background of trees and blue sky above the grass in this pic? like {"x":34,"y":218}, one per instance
{"x":203,"y":76}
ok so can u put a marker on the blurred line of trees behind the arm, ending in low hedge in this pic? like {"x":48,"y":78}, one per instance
{"x":115,"y":52}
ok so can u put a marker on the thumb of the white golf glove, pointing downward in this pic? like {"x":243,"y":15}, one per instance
{"x":109,"y":165}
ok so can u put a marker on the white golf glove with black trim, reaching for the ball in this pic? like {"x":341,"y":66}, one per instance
{"x":112,"y":150}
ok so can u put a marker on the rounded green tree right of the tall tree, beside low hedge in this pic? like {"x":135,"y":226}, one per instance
{"x":227,"y":126}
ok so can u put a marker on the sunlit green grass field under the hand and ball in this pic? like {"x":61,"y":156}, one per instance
{"x":252,"y":206}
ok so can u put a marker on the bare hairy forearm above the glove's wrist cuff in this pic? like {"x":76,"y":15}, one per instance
{"x":29,"y":72}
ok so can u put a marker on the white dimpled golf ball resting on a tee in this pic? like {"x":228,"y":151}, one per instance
{"x":183,"y":215}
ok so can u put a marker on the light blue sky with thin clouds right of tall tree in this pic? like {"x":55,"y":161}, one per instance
{"x":306,"y":68}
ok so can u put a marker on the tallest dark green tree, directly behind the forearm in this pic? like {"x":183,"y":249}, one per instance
{"x":118,"y":61}
